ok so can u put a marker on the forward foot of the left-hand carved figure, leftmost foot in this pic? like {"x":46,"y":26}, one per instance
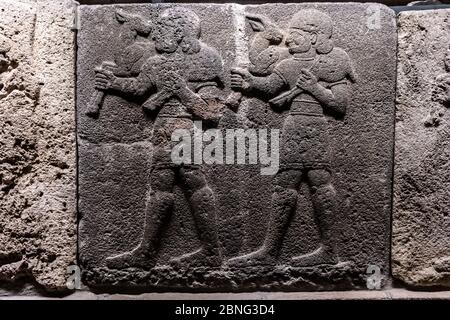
{"x":138,"y":258}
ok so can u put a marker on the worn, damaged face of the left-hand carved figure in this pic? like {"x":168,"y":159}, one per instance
{"x":167,"y":36}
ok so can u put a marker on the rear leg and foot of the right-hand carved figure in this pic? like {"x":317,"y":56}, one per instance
{"x":323,"y":200}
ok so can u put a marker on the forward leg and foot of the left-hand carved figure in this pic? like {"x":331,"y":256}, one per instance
{"x":157,"y":214}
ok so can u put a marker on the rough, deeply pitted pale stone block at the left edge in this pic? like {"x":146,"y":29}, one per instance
{"x":37,"y":142}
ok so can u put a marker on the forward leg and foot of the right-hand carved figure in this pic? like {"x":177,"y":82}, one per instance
{"x":284,"y":201}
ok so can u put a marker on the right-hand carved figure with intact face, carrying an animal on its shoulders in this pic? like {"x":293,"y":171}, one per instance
{"x":308,"y":75}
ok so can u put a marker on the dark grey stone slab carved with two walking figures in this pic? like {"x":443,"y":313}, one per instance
{"x":321,"y":74}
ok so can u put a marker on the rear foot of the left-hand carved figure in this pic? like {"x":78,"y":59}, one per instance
{"x":198,"y":258}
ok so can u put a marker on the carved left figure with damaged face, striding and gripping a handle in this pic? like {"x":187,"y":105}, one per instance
{"x":182,"y":81}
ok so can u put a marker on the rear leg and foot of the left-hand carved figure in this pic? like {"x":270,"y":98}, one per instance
{"x":203,"y":206}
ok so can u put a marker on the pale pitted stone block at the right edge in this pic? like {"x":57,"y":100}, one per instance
{"x":421,"y":226}
